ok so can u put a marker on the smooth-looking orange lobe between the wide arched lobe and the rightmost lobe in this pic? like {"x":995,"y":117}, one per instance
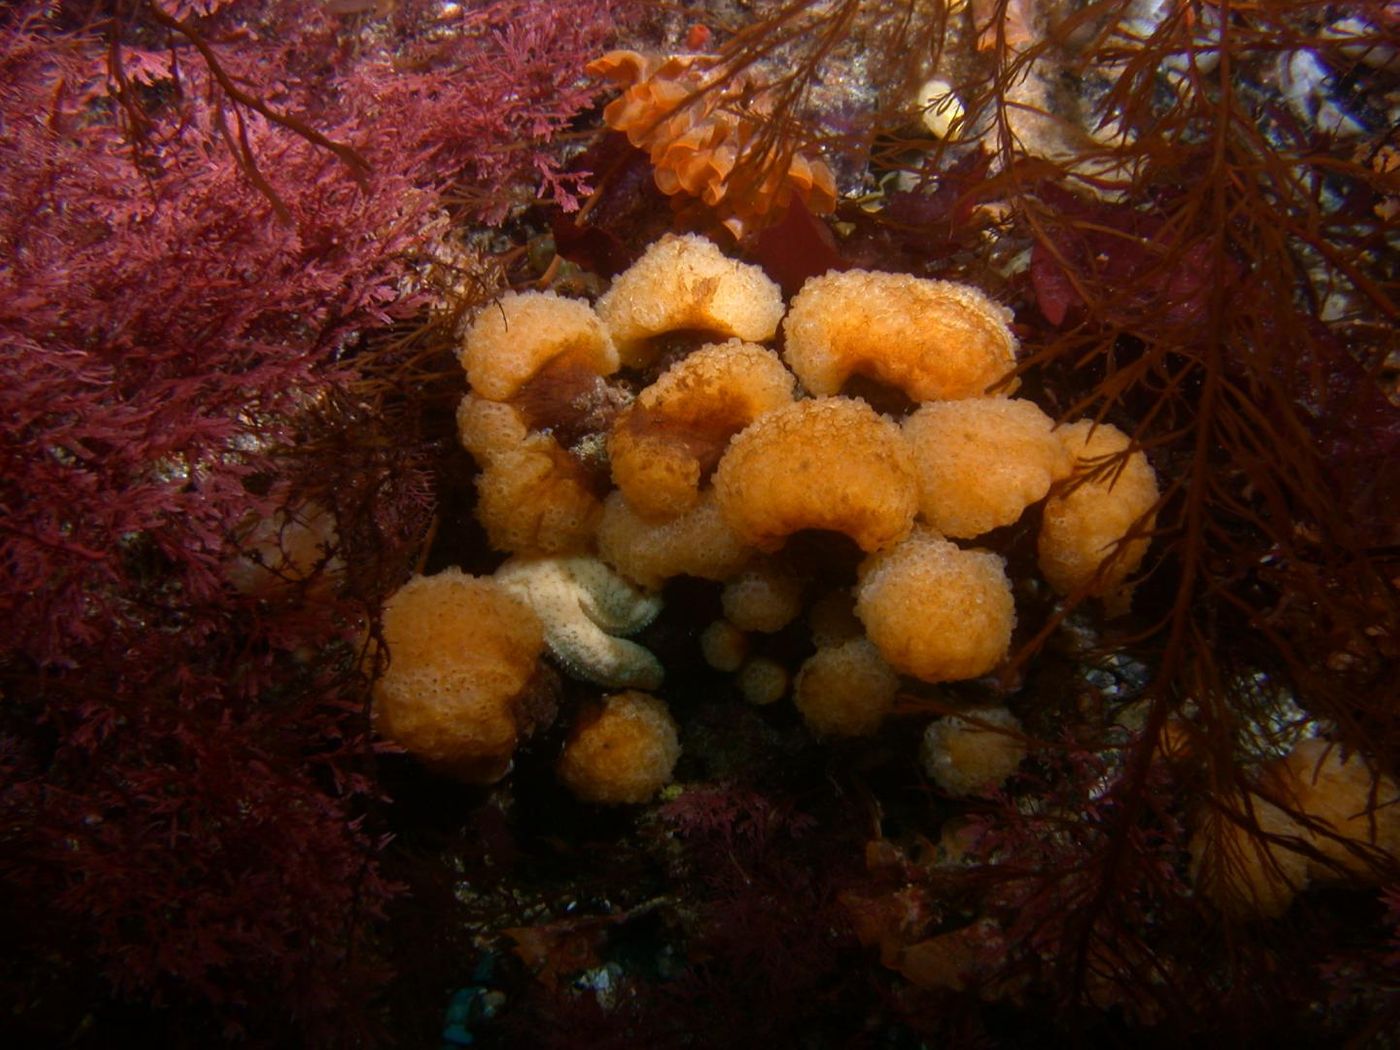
{"x":982,"y":461}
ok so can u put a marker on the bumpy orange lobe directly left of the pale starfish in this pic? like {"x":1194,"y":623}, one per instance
{"x":461,"y":656}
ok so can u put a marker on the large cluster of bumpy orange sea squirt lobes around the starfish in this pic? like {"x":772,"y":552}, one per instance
{"x":727,"y":456}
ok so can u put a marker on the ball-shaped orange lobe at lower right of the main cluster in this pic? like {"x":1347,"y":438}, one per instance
{"x":936,"y":611}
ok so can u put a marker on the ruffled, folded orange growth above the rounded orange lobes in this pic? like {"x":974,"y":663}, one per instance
{"x":702,"y":129}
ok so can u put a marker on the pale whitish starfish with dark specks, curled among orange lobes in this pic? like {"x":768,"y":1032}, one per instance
{"x":584,"y":607}
